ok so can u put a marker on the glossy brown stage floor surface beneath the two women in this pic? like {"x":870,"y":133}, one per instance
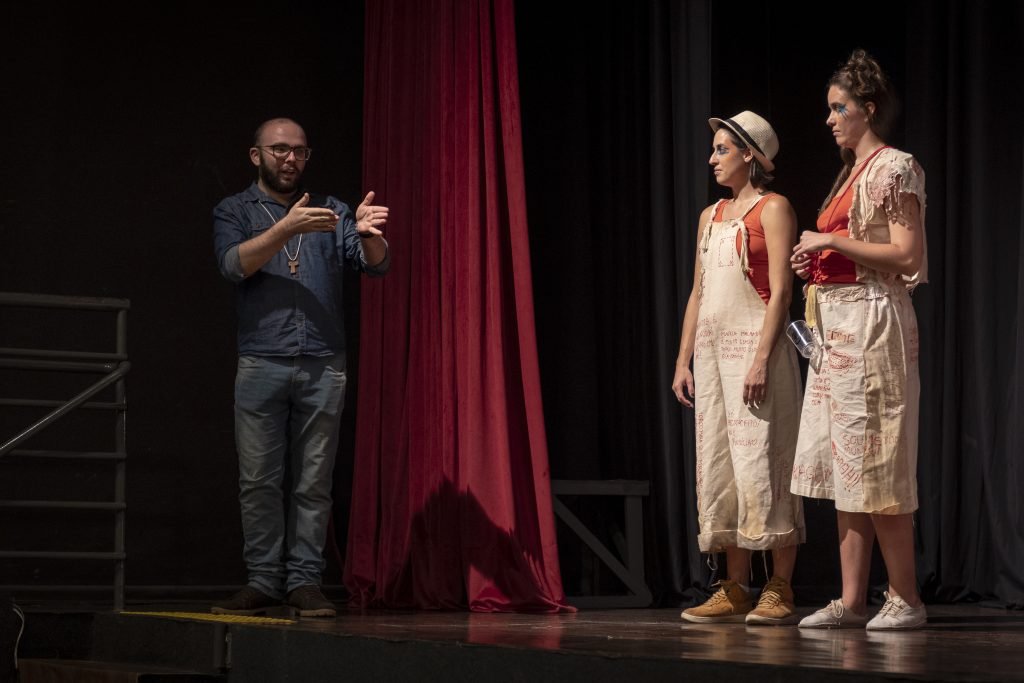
{"x":959,"y":644}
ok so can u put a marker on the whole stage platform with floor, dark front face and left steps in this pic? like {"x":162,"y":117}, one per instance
{"x":960,"y":644}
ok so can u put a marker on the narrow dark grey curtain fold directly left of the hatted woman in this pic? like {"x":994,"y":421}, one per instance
{"x":679,"y":98}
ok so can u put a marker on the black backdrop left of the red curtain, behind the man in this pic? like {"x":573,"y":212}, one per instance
{"x":122,"y":135}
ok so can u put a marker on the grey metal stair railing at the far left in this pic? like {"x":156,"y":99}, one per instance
{"x":113,"y":367}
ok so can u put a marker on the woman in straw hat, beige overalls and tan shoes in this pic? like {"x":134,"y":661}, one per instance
{"x":746,"y":383}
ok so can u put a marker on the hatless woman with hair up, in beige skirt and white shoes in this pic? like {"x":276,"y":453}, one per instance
{"x":859,"y":432}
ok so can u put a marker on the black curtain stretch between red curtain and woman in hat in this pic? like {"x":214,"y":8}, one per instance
{"x":615,"y":118}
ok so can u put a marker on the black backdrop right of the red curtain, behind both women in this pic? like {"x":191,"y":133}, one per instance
{"x":616,"y":99}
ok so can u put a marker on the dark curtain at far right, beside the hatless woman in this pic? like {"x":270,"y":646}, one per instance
{"x":971,"y":524}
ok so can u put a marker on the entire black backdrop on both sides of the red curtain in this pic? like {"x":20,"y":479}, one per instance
{"x":122,"y":134}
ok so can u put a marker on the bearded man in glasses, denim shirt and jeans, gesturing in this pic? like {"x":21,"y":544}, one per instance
{"x":286,"y":249}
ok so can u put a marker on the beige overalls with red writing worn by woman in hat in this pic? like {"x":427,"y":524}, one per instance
{"x":745,"y":454}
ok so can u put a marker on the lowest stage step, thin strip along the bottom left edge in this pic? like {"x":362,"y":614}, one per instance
{"x":76,"y":671}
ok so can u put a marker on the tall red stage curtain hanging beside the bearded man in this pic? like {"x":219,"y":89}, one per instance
{"x":451,"y":500}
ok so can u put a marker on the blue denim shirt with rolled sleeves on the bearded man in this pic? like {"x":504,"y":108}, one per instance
{"x":281,"y":314}
